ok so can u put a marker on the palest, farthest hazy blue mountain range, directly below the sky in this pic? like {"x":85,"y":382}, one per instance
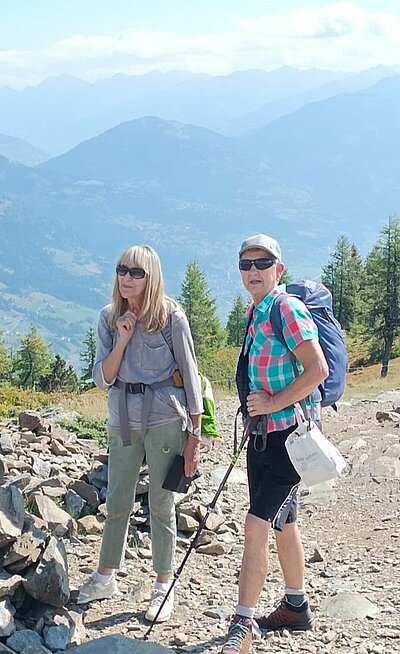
{"x":63,"y":111}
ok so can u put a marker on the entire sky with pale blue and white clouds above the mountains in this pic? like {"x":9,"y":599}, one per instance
{"x":91,"y":39}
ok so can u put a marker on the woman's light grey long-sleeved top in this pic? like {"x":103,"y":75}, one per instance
{"x":148,"y":359}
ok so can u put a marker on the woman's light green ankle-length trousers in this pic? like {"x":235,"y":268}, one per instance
{"x":160,"y":446}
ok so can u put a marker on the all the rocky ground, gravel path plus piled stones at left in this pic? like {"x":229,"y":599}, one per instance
{"x":351,"y":534}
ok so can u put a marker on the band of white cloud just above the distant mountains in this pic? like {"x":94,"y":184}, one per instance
{"x":340,"y":35}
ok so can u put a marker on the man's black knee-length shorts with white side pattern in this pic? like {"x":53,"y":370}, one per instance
{"x":273,"y":481}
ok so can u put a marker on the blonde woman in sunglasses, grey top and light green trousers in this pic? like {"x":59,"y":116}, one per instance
{"x":154,"y":411}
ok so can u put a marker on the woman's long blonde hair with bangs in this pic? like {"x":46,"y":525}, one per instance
{"x":155,"y":306}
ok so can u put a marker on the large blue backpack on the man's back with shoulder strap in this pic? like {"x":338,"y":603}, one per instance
{"x":318,"y":301}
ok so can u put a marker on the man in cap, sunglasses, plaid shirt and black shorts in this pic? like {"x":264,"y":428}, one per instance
{"x":273,"y":481}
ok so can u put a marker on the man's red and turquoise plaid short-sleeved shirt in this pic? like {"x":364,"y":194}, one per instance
{"x":270,"y":362}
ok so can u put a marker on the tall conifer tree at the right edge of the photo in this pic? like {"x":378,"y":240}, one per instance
{"x":382,"y":290}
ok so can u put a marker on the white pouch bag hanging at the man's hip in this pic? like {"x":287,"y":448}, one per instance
{"x":313,"y":456}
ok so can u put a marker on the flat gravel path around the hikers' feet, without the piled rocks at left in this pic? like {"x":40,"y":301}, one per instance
{"x":351,"y":533}
